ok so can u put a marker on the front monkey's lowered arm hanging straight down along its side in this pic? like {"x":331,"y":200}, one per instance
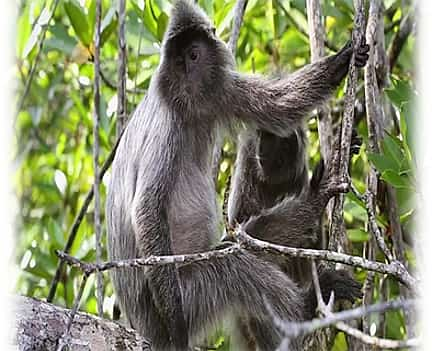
{"x":153,"y":238}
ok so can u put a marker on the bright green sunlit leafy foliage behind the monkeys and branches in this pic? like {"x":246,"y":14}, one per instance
{"x":53,"y":145}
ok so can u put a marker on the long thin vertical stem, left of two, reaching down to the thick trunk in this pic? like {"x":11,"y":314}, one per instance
{"x":96,"y":118}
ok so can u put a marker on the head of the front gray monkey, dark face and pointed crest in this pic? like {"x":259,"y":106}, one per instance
{"x":193,"y":59}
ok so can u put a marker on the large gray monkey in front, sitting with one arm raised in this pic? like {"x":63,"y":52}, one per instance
{"x":161,"y":198}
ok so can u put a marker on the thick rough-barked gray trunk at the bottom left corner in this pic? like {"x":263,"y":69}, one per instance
{"x":39,"y":325}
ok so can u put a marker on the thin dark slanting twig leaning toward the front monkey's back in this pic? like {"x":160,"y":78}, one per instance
{"x":77,"y":222}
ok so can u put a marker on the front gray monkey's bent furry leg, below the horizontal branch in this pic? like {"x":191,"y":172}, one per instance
{"x":244,"y":285}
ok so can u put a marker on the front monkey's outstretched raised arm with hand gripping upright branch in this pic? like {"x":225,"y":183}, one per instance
{"x":280,"y":105}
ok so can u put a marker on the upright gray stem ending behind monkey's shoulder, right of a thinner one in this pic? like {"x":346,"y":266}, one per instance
{"x":122,"y":61}
